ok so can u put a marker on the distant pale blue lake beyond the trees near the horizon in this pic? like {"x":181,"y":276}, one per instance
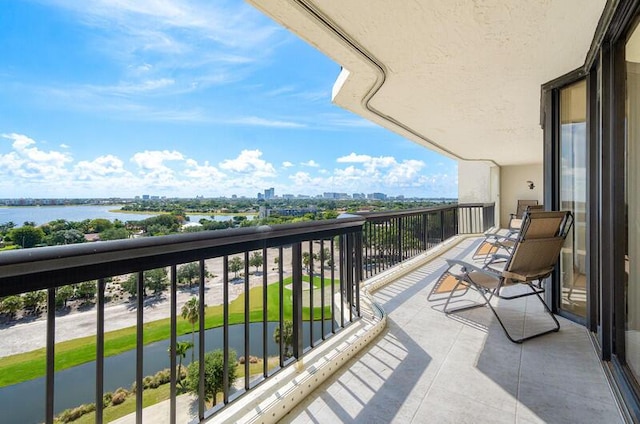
{"x":43,"y":214}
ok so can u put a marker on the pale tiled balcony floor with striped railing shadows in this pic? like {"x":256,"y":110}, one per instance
{"x":433,"y":368}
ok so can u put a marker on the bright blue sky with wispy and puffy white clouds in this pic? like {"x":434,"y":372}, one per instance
{"x":102,"y":98}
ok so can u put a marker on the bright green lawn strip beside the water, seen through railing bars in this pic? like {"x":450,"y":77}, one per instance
{"x":29,"y":365}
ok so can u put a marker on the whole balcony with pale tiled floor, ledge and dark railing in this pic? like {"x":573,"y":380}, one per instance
{"x":424,"y":366}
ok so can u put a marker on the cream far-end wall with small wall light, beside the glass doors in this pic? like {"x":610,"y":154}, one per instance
{"x":514,"y":187}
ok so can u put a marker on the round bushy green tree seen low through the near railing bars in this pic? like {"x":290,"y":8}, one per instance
{"x":213,"y":374}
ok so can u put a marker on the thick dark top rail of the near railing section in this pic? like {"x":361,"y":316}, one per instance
{"x":88,"y":261}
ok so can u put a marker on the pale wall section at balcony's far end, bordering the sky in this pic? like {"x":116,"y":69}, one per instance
{"x":479,"y":182}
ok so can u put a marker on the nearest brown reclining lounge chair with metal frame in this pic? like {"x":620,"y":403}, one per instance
{"x":534,"y":258}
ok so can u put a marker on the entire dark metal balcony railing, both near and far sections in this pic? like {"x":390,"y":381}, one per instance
{"x":314,"y":283}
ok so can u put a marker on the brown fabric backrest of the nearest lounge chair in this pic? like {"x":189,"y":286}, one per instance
{"x":538,"y":246}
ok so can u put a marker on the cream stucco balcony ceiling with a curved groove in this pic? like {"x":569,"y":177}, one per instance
{"x":460,"y":76}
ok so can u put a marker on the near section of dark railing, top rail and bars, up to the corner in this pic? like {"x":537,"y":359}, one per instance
{"x":317,"y":298}
